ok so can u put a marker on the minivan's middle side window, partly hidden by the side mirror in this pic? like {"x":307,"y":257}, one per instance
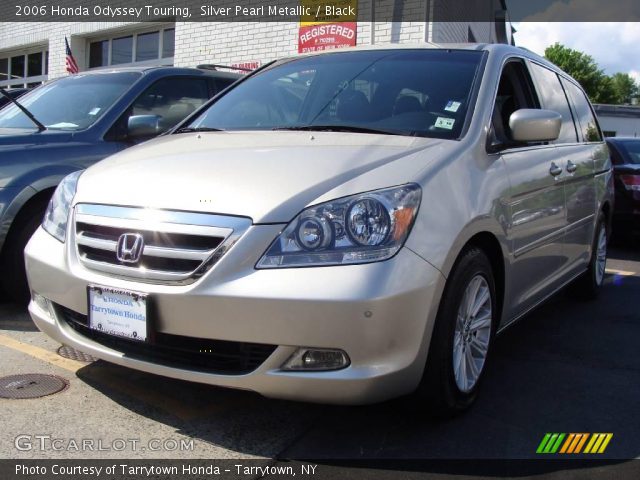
{"x":552,"y":97}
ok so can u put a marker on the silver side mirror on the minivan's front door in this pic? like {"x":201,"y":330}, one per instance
{"x":533,"y":125}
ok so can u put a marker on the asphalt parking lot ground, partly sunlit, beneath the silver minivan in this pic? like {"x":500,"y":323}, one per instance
{"x":570,"y":366}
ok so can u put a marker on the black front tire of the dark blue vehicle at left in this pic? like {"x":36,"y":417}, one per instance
{"x":13,"y":280}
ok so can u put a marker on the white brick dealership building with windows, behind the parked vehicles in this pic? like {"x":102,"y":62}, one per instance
{"x":32,"y":52}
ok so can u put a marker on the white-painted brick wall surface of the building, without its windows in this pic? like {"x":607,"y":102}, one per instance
{"x":225,"y":42}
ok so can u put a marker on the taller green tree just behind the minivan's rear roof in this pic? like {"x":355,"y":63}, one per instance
{"x":584,"y":69}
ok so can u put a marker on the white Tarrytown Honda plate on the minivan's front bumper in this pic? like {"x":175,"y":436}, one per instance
{"x":118,"y":312}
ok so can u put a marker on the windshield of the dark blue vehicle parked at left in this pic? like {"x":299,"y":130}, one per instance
{"x":71,"y":103}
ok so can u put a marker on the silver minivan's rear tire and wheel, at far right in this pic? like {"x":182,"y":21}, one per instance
{"x":588,"y":285}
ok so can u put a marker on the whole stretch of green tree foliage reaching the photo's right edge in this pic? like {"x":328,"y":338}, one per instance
{"x":600,"y":88}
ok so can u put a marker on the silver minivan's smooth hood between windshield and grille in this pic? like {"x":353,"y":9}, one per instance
{"x":267,"y":176}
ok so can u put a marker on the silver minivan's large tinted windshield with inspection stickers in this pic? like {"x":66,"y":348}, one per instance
{"x":424,"y":92}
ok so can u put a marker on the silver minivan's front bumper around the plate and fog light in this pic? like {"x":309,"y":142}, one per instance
{"x":380,"y":314}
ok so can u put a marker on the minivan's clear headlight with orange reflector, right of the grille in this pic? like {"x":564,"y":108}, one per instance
{"x":363,"y":228}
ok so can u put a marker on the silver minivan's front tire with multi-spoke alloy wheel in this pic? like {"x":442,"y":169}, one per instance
{"x":447,"y":390}
